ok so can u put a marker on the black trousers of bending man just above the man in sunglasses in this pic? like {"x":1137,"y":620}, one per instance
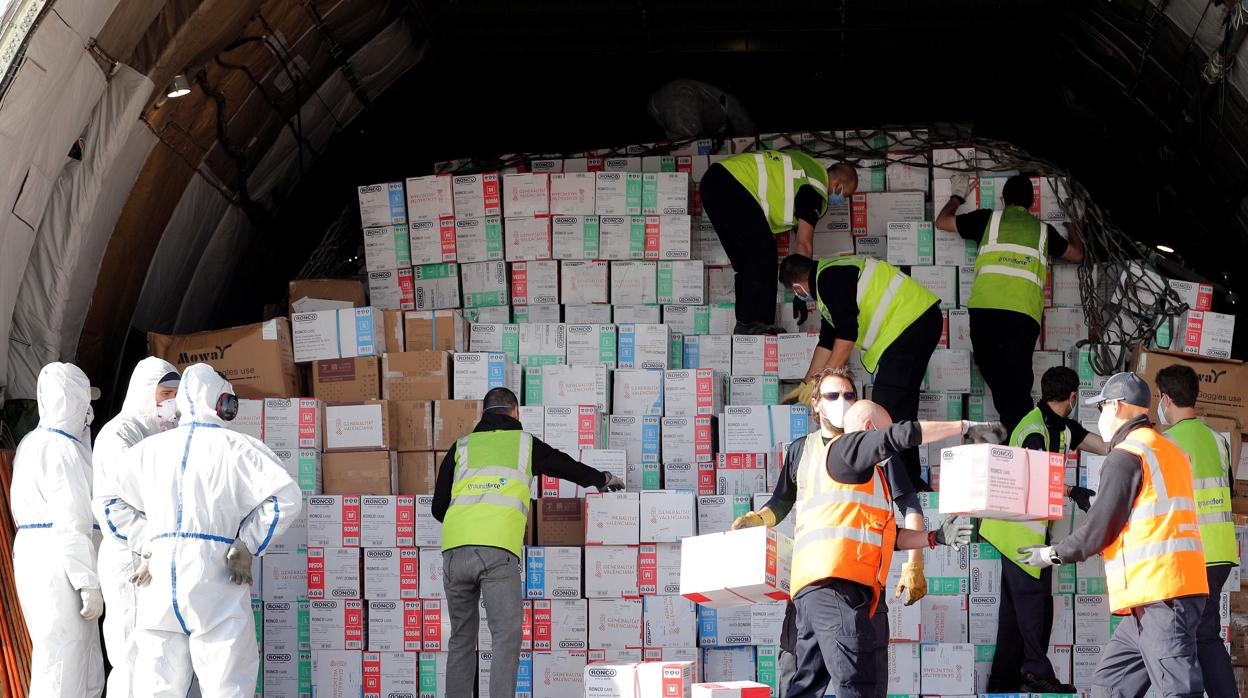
{"x":900,"y":375}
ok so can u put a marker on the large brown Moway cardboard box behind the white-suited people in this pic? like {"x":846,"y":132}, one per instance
{"x":259,"y":360}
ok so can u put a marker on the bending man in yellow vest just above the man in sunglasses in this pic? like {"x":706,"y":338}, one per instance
{"x":890,"y":318}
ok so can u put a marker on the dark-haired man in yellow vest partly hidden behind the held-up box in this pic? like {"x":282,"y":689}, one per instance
{"x":1026,"y":616}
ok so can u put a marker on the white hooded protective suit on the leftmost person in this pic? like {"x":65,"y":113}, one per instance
{"x":54,"y":554}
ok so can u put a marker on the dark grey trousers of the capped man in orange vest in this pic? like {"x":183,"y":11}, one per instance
{"x":1154,"y":647}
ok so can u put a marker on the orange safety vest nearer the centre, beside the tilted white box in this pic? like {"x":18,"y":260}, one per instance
{"x":843,"y":531}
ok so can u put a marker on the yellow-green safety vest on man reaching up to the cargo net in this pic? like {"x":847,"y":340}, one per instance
{"x":1010,"y":275}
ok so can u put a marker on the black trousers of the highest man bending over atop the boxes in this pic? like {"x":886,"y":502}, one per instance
{"x":748,"y":240}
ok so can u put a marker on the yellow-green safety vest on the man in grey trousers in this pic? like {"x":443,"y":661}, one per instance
{"x":490,"y":495}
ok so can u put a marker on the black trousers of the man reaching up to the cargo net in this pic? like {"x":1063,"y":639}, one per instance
{"x":1003,"y":343}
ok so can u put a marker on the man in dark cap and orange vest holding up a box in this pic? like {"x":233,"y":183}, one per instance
{"x":1145,"y":524}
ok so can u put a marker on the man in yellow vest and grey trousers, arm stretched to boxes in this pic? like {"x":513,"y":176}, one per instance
{"x":482,"y":500}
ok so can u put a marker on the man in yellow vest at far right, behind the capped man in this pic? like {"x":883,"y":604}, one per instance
{"x":1210,"y":455}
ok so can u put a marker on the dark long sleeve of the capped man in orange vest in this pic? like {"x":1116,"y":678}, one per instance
{"x":1121,"y":478}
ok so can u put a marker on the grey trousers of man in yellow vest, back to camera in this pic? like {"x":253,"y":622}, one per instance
{"x":472,"y":574}
